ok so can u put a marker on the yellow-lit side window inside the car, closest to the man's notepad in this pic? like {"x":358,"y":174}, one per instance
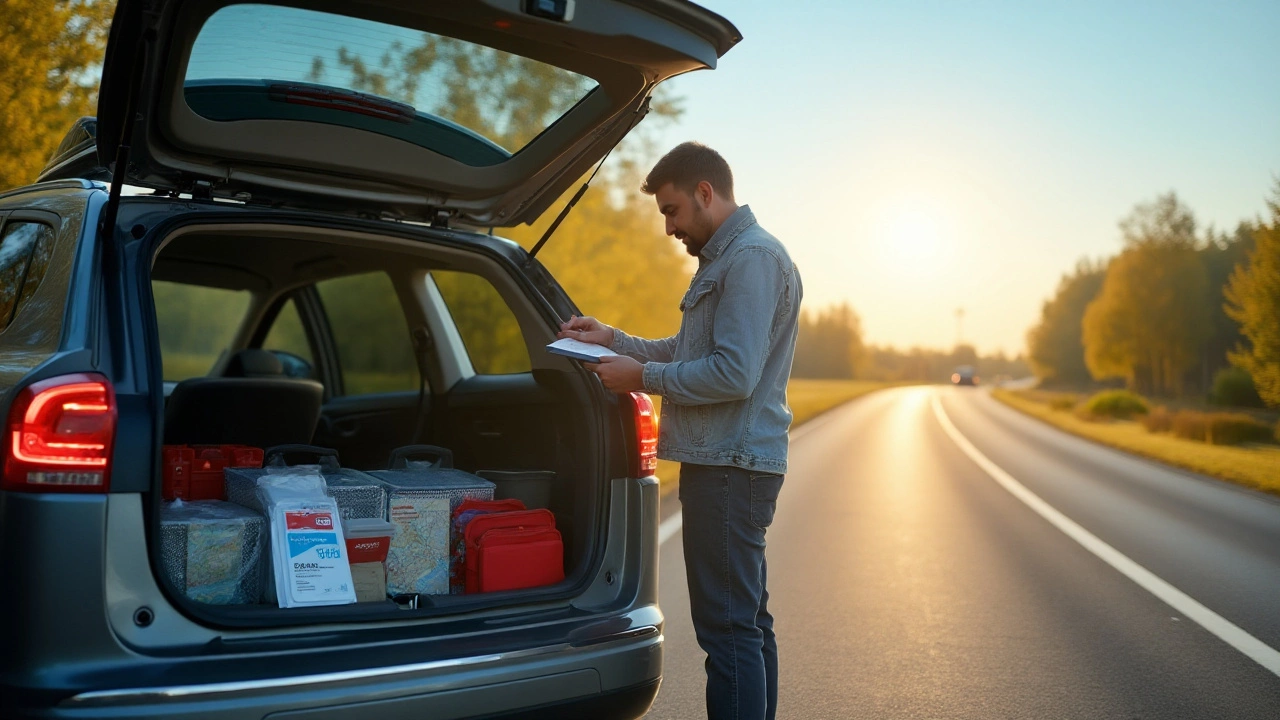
{"x":487,"y":325}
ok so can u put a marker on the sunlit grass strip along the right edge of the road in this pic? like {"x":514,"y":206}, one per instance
{"x":1251,"y":466}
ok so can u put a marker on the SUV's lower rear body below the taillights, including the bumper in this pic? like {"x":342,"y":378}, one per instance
{"x":65,"y":659}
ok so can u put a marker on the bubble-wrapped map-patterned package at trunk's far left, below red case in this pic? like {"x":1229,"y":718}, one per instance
{"x":213,"y":550}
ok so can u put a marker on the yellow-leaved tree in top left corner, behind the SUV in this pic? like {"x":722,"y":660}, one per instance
{"x":49,"y":52}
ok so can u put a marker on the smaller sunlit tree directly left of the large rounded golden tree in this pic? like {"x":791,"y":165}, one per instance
{"x":1055,"y":345}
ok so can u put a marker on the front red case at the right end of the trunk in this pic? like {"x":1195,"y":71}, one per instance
{"x":514,"y":550}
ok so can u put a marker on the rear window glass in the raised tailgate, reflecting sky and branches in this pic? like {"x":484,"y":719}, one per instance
{"x":464,"y":101}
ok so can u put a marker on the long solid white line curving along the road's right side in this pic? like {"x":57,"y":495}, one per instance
{"x":1226,"y":631}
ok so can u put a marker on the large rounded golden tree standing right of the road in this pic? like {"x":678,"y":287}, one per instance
{"x":1151,"y":318}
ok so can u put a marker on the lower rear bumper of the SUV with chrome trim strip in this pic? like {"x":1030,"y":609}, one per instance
{"x":551,"y":680}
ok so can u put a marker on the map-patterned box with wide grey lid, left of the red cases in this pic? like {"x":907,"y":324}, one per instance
{"x":424,"y":499}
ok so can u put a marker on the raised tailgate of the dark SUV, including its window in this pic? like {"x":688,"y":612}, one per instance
{"x":484,"y":111}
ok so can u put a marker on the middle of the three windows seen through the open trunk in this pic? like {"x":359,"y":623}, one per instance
{"x":369,"y":327}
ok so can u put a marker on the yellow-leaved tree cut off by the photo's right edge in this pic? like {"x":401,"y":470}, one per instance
{"x":1254,"y":302}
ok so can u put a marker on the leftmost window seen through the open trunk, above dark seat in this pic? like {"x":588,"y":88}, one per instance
{"x":196,"y":326}
